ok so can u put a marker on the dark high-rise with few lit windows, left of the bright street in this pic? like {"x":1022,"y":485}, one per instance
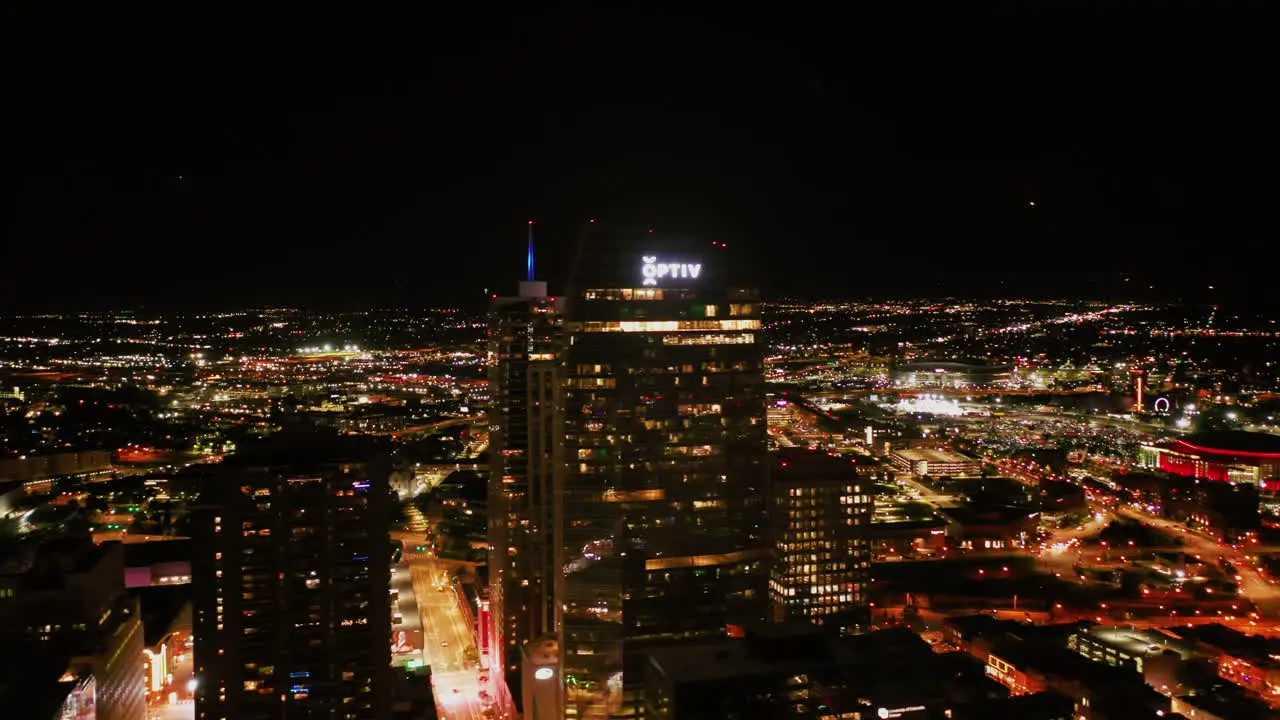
{"x":292,"y":617}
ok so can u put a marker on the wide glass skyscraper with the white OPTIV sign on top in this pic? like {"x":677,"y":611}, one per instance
{"x":662,"y":493}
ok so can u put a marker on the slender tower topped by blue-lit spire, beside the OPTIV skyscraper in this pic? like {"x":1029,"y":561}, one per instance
{"x":525,"y":444}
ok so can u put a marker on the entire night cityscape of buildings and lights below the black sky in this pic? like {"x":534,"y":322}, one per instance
{"x":1095,"y":476}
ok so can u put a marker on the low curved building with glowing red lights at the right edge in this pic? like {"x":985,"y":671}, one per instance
{"x":1235,"y":457}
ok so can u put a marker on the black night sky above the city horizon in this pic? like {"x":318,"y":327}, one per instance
{"x":222,"y":156}
